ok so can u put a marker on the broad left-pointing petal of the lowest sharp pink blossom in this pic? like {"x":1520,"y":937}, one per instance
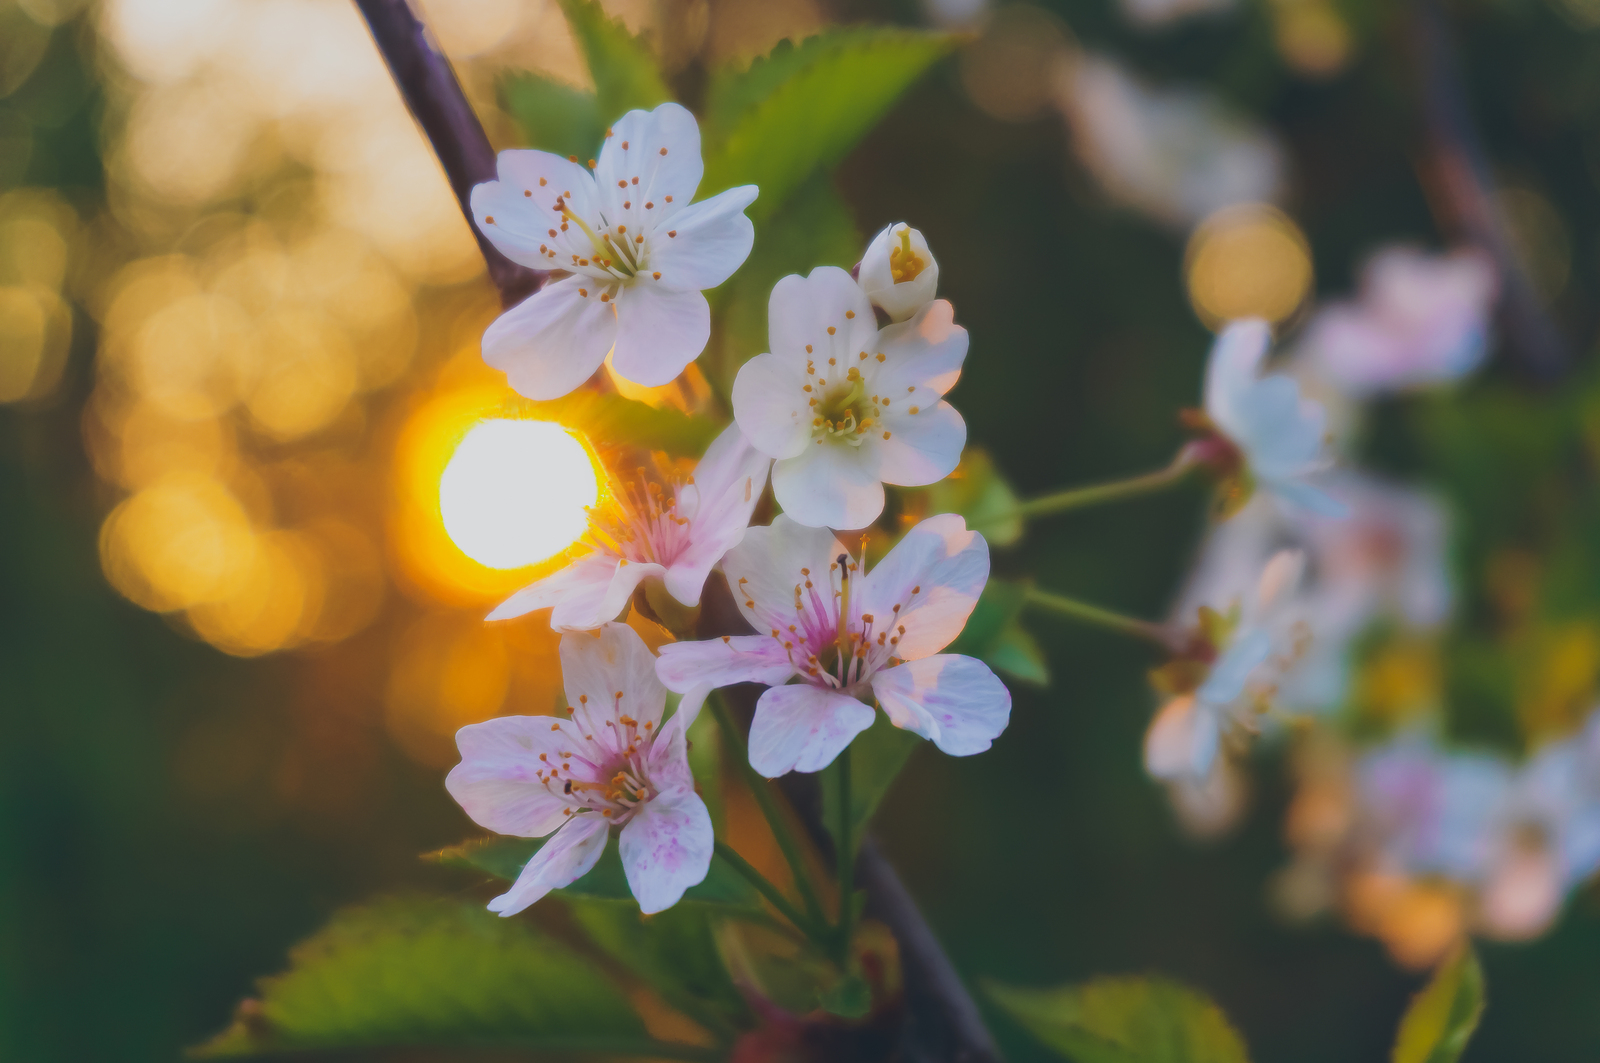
{"x":497,"y":782}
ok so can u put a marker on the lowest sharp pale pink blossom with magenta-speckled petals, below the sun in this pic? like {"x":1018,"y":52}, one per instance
{"x":612,"y":763}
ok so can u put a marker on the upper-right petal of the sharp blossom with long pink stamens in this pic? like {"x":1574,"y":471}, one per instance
{"x":935,"y":577}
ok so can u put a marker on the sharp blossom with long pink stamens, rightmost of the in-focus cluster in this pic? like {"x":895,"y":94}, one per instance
{"x":849,"y":638}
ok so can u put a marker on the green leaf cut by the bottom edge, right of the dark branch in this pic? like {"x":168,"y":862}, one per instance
{"x":1126,"y":1021}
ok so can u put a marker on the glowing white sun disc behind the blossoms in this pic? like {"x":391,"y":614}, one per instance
{"x":514,"y":492}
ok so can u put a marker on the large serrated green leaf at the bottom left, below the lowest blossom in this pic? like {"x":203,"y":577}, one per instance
{"x":433,"y":973}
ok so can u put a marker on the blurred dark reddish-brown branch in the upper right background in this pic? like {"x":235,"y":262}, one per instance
{"x":1462,"y":182}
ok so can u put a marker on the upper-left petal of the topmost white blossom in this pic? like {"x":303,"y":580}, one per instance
{"x":522,"y":203}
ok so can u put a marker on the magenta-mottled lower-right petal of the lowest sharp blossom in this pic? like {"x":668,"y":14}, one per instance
{"x":666,"y":849}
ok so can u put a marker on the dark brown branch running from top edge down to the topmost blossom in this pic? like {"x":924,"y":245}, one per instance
{"x":434,"y":97}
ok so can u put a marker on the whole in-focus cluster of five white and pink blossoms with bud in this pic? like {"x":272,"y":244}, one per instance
{"x":849,"y":398}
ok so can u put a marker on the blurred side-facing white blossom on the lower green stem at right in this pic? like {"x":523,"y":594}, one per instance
{"x":1230,"y":678}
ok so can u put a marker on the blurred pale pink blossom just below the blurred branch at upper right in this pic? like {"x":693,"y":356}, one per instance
{"x":1422,"y":319}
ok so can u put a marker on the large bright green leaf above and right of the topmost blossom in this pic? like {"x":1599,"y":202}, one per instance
{"x":804,"y":110}
